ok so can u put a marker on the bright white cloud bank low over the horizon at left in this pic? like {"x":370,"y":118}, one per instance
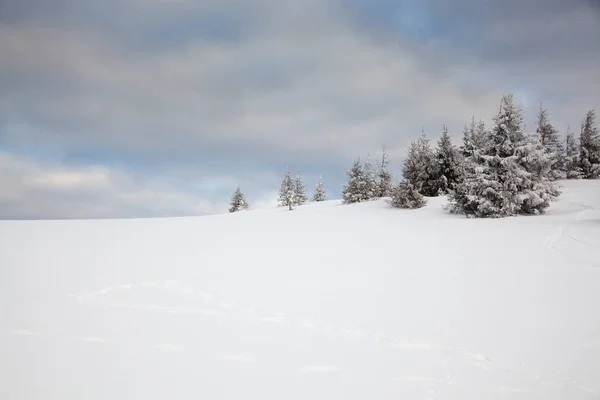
{"x":31,"y":189}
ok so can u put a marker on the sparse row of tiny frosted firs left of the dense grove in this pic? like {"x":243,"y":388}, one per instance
{"x":291,"y":193}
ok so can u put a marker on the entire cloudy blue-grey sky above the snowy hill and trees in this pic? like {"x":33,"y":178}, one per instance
{"x":123,"y":108}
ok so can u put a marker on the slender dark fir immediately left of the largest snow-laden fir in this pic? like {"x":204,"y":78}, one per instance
{"x":449,"y":162}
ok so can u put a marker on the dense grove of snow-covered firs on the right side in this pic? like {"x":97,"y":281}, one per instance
{"x":499,"y":172}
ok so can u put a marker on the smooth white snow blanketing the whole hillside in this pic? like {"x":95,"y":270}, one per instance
{"x":327,"y":301}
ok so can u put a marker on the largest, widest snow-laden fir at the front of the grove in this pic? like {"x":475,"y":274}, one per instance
{"x":509,"y":175}
